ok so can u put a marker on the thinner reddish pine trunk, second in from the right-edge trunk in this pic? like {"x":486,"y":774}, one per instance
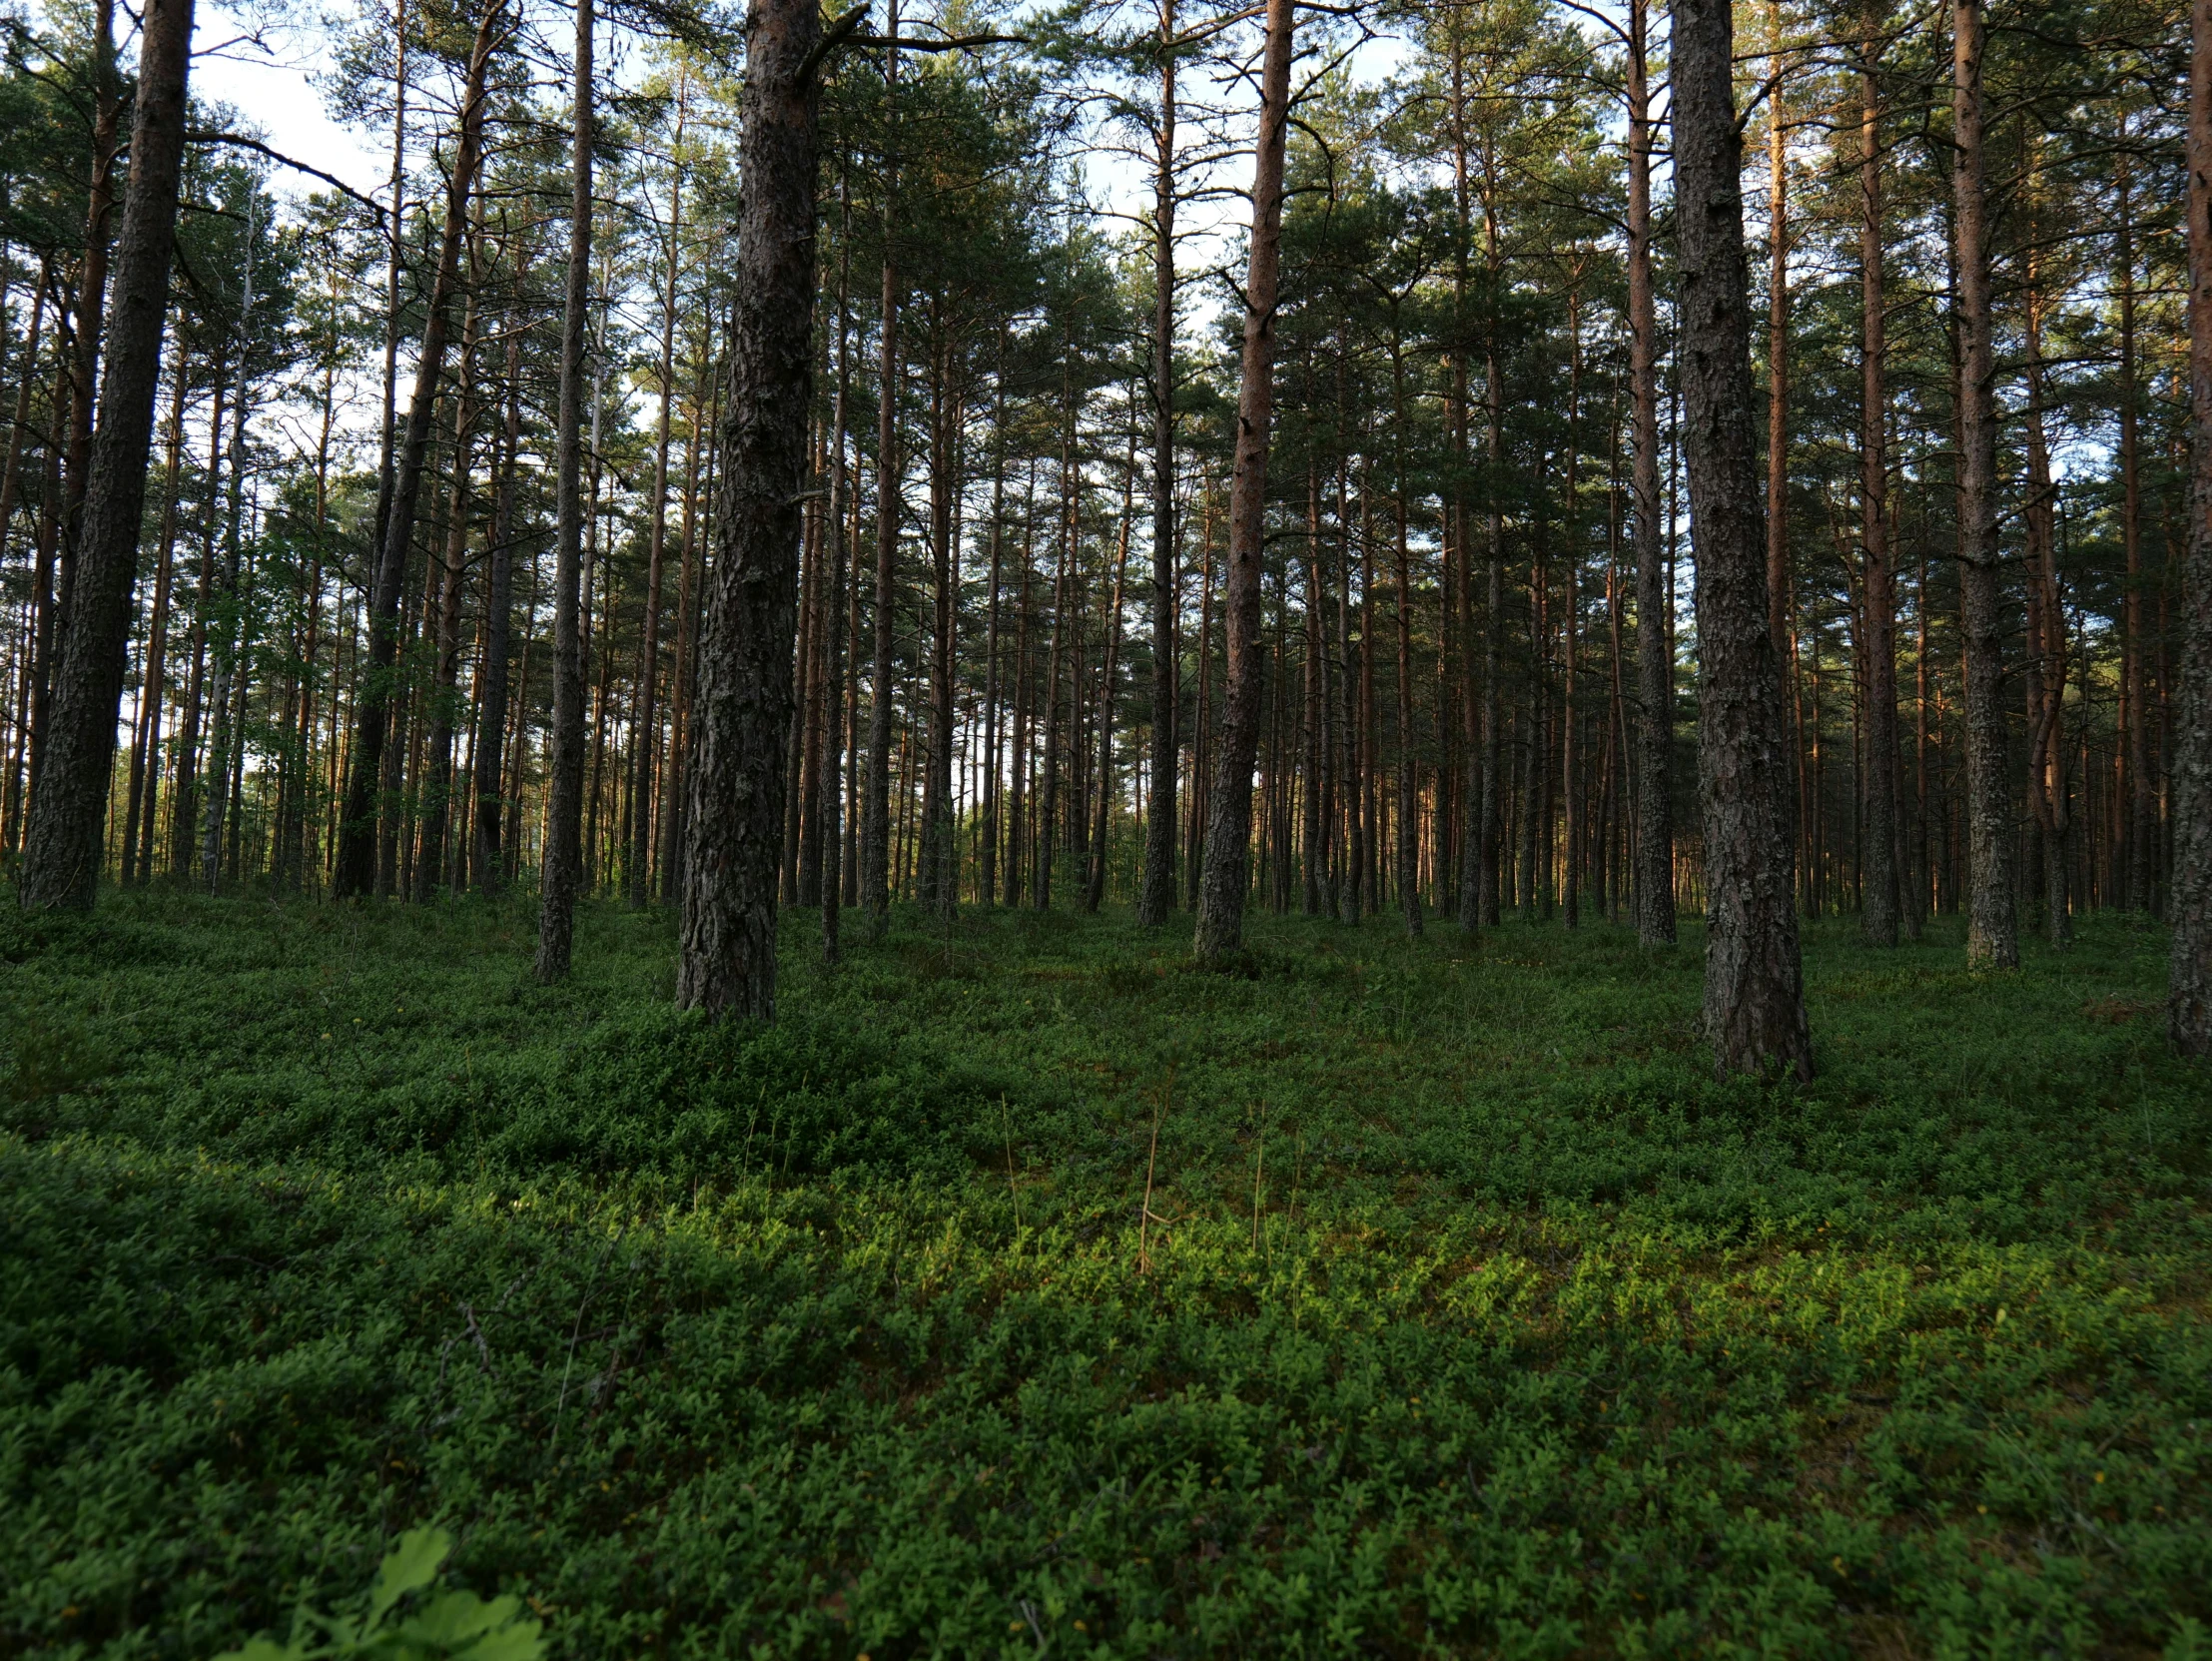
{"x":1879,"y":901}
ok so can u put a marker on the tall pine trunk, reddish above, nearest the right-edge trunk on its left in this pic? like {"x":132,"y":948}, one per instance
{"x":1992,"y":926}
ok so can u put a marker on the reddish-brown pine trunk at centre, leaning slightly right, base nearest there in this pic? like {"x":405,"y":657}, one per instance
{"x":1229,"y":830}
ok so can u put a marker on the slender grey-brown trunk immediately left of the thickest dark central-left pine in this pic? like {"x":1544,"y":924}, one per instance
{"x":563,"y":864}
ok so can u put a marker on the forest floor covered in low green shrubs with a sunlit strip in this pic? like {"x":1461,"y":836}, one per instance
{"x":1477,"y":1315}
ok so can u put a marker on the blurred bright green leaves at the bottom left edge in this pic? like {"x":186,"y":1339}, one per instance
{"x":452,"y":1627}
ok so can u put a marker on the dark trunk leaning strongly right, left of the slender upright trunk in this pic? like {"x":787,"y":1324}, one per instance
{"x":373,"y":713}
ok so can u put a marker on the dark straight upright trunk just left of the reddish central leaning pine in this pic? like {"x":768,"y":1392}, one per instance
{"x":1156,"y":895}
